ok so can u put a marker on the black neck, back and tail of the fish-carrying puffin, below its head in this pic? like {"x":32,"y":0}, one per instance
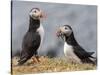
{"x":79,"y":51}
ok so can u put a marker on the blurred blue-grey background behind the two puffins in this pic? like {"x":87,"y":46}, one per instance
{"x":82,"y":19}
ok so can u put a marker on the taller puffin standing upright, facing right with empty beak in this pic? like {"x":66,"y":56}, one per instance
{"x":33,"y":38}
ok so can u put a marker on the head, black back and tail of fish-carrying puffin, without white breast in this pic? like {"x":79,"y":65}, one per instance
{"x":84,"y":56}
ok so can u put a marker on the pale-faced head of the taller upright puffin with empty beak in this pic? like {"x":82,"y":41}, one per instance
{"x":36,"y":13}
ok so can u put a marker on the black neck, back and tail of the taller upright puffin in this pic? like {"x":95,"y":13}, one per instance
{"x":31,"y":41}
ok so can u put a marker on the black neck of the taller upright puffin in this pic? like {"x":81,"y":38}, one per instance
{"x":34,"y":24}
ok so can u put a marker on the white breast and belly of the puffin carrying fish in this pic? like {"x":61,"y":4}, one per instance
{"x":68,"y":51}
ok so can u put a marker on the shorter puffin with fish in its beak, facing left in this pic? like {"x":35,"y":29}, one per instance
{"x":72,"y":50}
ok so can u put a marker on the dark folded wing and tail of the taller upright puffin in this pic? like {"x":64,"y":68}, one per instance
{"x":31,"y":43}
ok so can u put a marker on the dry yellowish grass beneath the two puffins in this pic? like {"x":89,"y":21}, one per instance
{"x":49,"y":65}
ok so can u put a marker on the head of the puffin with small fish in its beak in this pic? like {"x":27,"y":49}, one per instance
{"x":64,"y":30}
